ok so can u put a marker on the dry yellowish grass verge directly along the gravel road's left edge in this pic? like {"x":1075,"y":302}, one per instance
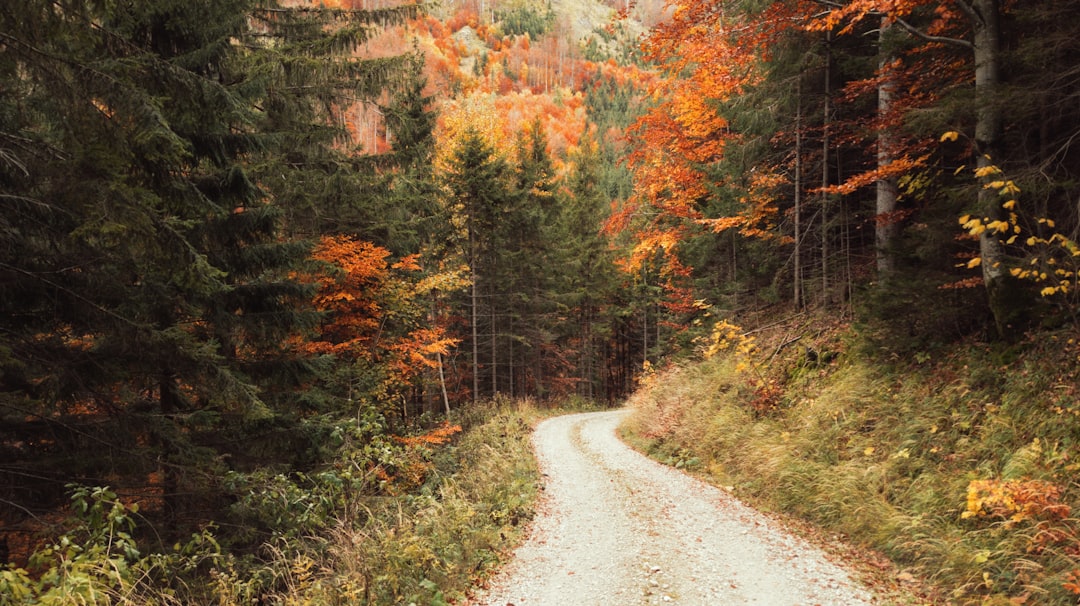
{"x":430,"y":546}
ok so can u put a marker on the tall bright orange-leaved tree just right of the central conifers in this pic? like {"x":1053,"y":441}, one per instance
{"x":709,"y":56}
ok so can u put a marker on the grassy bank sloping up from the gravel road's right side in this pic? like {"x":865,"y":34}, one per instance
{"x":957,"y":464}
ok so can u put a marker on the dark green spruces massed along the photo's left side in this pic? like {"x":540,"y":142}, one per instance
{"x":152,"y":152}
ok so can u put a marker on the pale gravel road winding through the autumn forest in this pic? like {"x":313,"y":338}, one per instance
{"x":617,"y":529}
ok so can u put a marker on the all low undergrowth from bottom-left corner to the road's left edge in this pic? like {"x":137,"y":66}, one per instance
{"x":414,"y":520}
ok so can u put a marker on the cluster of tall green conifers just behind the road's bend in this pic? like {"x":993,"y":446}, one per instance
{"x":520,"y":247}
